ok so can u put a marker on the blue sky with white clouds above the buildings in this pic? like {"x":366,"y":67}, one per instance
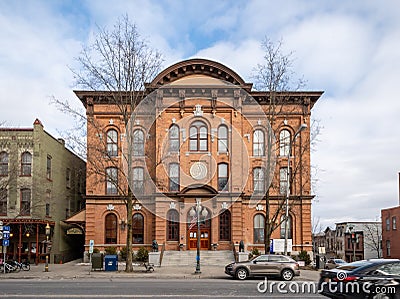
{"x":348,"y":49}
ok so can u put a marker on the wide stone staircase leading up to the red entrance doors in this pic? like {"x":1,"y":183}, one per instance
{"x":188,"y":258}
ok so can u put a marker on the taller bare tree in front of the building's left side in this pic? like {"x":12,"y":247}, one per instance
{"x":118,"y":62}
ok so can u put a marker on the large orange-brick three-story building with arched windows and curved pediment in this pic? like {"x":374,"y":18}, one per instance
{"x":203,"y":144}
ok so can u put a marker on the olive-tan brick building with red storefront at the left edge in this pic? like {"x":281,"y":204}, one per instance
{"x":41,"y":183}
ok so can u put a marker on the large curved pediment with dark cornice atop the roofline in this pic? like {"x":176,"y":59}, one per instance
{"x":199,"y":69}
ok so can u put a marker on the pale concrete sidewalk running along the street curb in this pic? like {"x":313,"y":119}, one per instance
{"x":76,"y":269}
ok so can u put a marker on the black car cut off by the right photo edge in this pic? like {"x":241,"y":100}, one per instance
{"x":375,"y":278}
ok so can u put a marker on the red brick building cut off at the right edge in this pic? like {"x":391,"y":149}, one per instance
{"x":391,"y":232}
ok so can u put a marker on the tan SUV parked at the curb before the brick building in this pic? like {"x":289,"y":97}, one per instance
{"x":265,"y":265}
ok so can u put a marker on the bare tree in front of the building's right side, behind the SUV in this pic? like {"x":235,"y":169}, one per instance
{"x":276,"y":76}
